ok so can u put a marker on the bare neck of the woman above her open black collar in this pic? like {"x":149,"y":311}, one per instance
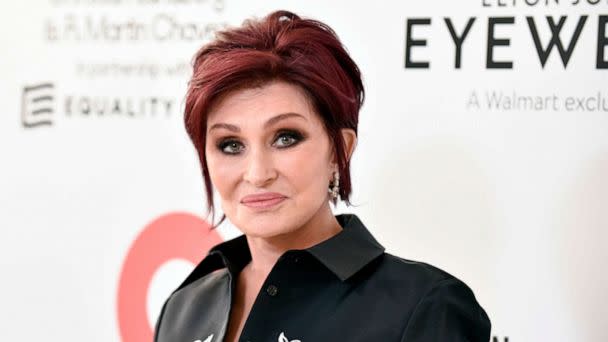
{"x":265,"y":251}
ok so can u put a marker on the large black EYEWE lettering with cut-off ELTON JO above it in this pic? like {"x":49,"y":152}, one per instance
{"x":547,"y":35}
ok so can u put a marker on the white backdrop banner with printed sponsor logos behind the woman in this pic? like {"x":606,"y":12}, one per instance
{"x":483,"y":149}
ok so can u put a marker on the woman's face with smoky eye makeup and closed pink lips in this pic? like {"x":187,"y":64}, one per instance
{"x":268,"y":141}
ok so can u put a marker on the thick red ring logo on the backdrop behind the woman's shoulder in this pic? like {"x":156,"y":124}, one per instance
{"x":171,"y":236}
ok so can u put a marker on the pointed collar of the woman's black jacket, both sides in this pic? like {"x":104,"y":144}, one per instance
{"x":344,"y":254}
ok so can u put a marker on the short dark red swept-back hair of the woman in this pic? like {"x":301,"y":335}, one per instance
{"x":281,"y":46}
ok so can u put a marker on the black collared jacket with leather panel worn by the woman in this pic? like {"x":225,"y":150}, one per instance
{"x":343,"y":289}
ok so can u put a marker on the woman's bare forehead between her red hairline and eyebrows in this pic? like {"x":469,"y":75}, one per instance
{"x":258,"y":104}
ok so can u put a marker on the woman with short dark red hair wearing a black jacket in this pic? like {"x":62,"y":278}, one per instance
{"x":272,"y":109}
